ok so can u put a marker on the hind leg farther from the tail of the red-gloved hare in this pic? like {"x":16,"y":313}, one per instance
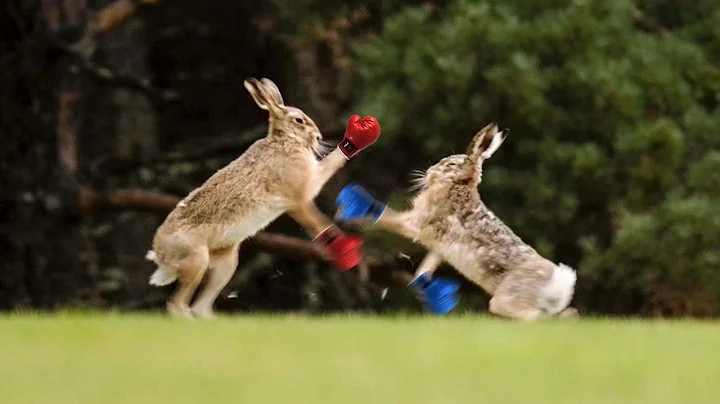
{"x":223,"y":264}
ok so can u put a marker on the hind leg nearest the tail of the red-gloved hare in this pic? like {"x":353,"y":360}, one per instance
{"x":190,"y":272}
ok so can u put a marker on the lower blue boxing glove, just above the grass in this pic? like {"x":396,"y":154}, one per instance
{"x":439,"y":295}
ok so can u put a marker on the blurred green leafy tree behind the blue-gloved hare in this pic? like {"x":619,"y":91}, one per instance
{"x":613,"y":120}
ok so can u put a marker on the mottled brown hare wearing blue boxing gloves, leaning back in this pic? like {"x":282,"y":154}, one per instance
{"x":451,"y":221}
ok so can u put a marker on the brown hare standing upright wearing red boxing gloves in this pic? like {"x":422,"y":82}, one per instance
{"x":275,"y":175}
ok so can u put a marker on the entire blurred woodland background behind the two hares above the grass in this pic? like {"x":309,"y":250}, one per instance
{"x":111,"y":109}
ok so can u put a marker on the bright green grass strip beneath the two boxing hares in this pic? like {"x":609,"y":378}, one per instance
{"x":112,"y":358}
